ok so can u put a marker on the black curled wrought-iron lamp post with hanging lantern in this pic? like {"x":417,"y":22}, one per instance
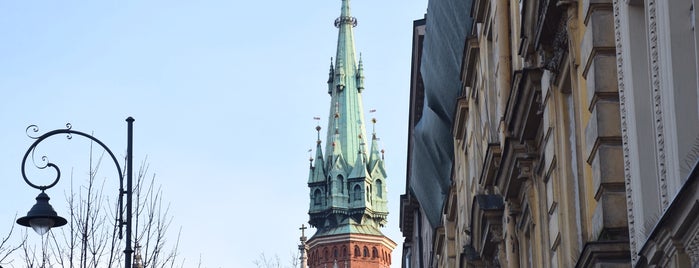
{"x":41,"y":217}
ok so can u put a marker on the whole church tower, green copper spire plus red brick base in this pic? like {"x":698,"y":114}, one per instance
{"x":347,"y":184}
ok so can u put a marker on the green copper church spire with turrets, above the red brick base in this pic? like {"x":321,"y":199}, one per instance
{"x":347,"y":186}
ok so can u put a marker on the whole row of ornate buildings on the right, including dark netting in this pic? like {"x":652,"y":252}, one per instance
{"x":574,"y":135}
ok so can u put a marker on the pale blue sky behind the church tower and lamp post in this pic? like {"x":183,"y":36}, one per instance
{"x":223,"y":92}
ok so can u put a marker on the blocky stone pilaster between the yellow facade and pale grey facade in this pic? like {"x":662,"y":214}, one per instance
{"x":607,"y":245}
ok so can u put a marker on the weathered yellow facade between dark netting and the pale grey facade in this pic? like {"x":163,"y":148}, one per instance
{"x":538,"y":151}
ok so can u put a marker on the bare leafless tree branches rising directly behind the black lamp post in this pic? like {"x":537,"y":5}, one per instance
{"x":91,"y":238}
